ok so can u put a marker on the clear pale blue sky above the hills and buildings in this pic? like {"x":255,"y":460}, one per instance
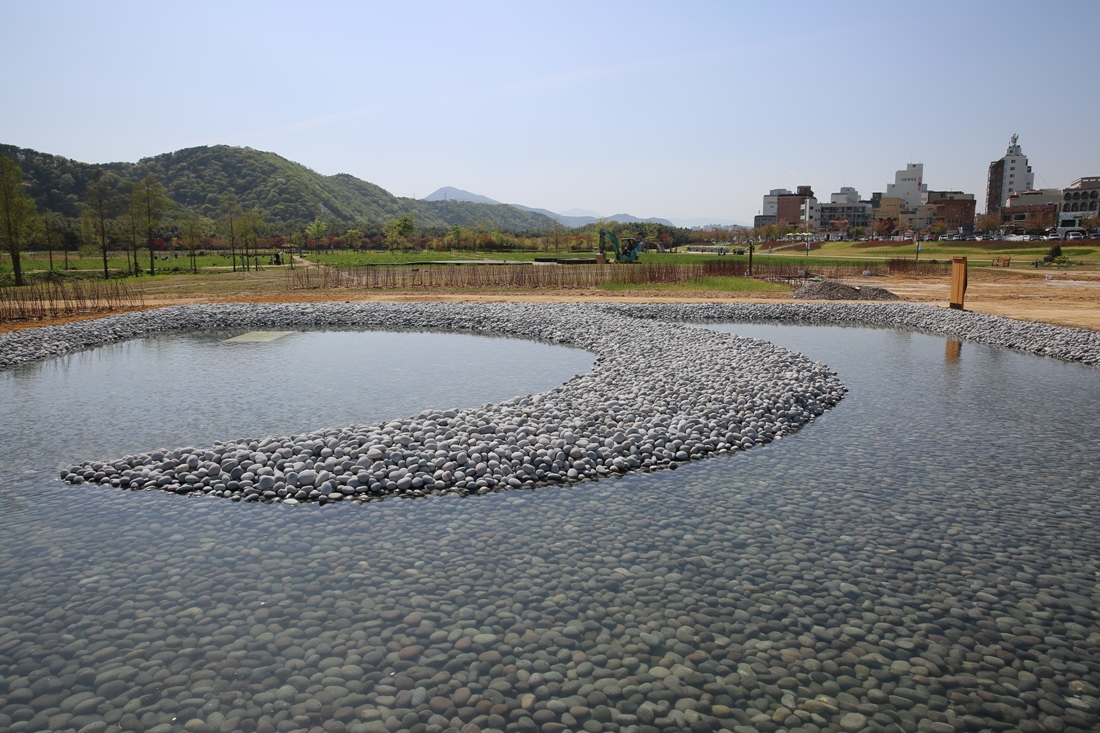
{"x":679,"y":111}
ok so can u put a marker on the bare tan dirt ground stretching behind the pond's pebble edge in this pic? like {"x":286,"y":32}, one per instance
{"x":1068,"y":299}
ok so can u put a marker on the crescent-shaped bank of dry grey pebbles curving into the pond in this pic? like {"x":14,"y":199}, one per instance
{"x":647,"y":404}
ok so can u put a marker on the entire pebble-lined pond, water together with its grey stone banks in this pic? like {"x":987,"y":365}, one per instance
{"x":762,"y":519}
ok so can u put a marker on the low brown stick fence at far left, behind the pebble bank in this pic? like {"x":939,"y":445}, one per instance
{"x":67,"y":299}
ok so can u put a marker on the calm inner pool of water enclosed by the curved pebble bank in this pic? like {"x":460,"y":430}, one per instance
{"x":193,"y":389}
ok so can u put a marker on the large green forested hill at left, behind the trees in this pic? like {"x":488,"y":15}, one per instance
{"x":284,"y":192}
